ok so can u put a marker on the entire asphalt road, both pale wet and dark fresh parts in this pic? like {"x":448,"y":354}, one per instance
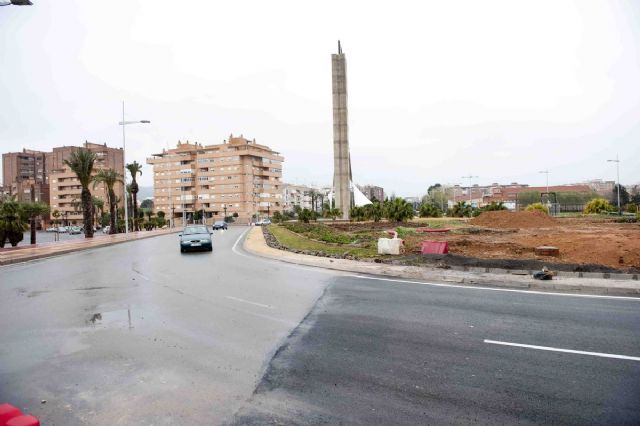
{"x":139,"y":334}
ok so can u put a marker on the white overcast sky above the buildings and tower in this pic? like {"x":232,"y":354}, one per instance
{"x":437,"y":90}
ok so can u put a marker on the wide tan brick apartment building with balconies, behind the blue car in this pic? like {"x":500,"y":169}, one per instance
{"x":237,"y":176}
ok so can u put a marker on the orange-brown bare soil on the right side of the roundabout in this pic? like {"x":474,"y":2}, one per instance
{"x":514,"y":236}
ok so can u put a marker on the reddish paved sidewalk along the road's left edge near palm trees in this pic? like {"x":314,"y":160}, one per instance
{"x":27,"y":252}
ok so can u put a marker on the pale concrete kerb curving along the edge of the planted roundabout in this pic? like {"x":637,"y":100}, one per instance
{"x":255,"y":243}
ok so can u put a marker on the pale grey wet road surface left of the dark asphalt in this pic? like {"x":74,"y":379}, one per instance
{"x":140,"y":333}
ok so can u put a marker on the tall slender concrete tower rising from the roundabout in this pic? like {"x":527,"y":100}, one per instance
{"x":341,"y":156}
